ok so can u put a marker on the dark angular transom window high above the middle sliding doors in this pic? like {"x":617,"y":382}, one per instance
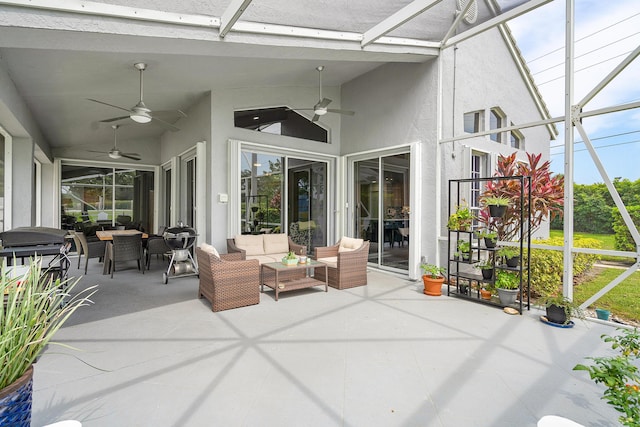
{"x":280,"y":121}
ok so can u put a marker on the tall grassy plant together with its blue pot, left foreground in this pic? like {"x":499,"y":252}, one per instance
{"x":35,"y":306}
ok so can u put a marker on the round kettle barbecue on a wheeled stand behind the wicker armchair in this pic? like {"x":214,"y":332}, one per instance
{"x":180,"y":239}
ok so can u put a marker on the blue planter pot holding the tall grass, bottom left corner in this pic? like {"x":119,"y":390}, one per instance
{"x":15,"y":401}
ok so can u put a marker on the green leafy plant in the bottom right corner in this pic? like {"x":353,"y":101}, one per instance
{"x":619,"y":374}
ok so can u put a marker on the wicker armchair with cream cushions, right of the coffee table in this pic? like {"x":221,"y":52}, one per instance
{"x":346,"y":269}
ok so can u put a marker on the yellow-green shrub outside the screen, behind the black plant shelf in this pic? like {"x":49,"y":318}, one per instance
{"x":546,"y":265}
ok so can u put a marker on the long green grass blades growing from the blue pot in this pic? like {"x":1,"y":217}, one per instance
{"x":35,"y":306}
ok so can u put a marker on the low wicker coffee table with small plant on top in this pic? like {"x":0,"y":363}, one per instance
{"x":284,"y":285}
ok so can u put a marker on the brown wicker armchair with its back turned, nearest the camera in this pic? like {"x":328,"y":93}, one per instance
{"x":228,"y":281}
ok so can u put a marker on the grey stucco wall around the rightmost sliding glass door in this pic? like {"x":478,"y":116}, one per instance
{"x":396,"y":104}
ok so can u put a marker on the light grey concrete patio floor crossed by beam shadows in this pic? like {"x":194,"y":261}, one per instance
{"x":382,"y":355}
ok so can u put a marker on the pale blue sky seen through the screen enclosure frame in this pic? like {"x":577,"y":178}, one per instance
{"x":606,"y":32}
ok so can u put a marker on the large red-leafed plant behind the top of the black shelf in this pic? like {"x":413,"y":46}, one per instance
{"x":547,"y":195}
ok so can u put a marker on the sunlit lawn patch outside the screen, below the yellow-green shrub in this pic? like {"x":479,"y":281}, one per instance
{"x":623,"y":300}
